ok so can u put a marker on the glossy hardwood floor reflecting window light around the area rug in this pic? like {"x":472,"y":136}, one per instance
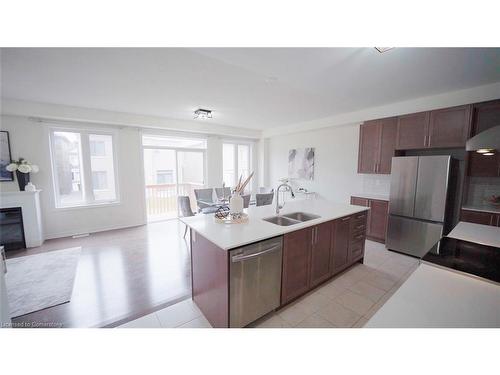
{"x":122,"y":274}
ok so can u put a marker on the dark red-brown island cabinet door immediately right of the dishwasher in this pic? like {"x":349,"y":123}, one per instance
{"x":296,"y":264}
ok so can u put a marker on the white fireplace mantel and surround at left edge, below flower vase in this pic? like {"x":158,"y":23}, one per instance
{"x":29,"y":201}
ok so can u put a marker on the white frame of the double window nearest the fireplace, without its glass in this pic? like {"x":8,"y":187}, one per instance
{"x":85,"y":168}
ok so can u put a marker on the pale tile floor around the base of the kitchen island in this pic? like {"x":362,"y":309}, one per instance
{"x":349,"y":300}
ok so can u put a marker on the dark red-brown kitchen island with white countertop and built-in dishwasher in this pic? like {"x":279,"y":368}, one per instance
{"x":284,"y":262}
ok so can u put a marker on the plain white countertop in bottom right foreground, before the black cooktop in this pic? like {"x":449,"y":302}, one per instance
{"x":433,"y":297}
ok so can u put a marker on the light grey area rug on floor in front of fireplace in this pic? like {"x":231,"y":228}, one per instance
{"x":35,"y":282}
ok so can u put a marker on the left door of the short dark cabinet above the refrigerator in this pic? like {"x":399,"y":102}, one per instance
{"x":412,"y":131}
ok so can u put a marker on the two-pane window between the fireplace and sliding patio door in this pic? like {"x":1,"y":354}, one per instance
{"x":84,"y":168}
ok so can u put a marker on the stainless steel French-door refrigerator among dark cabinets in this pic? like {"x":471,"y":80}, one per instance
{"x":418,"y":203}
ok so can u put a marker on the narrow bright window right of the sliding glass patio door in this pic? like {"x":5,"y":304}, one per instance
{"x":236,"y":162}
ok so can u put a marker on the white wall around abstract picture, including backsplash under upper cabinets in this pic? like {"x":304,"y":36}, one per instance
{"x":335,"y":168}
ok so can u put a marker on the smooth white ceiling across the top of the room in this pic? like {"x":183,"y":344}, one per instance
{"x":256,"y":88}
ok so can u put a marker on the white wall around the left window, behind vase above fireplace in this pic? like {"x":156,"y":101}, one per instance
{"x":30,"y":140}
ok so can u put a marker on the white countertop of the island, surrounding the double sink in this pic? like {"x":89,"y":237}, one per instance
{"x":229,"y":236}
